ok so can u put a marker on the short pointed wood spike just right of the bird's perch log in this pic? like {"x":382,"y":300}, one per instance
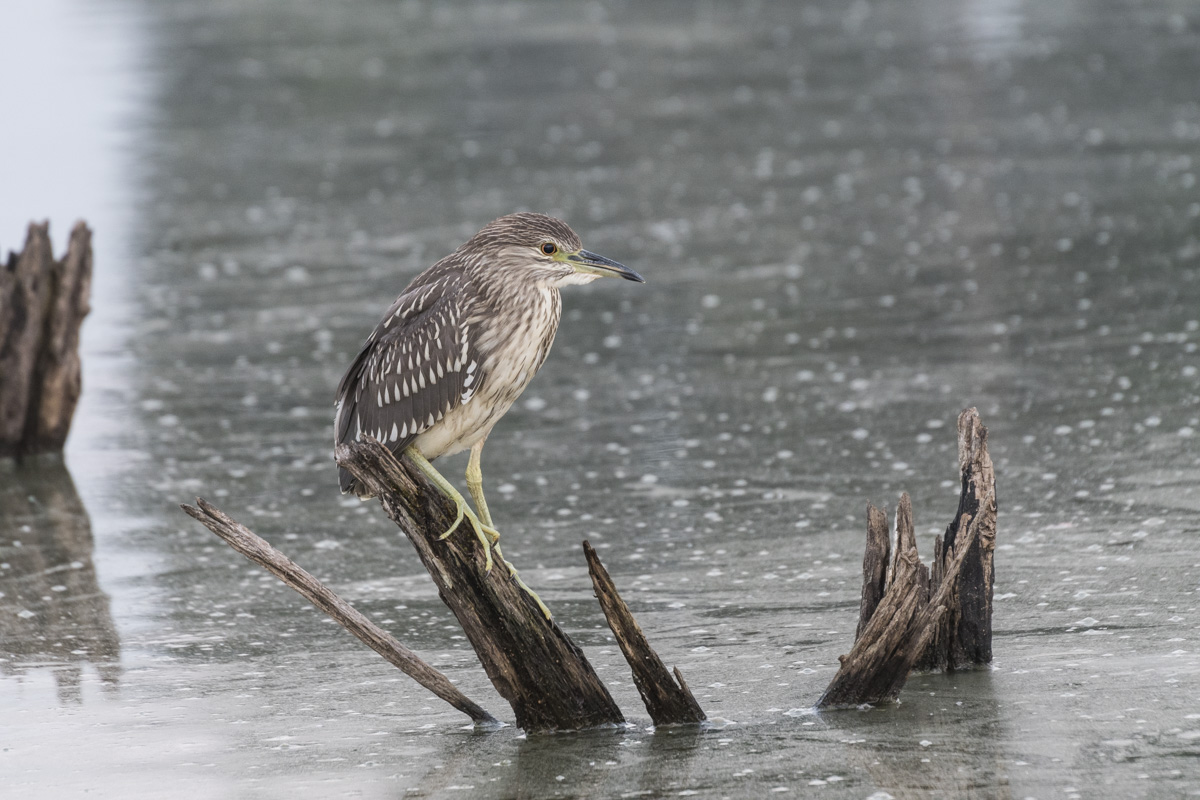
{"x":668,"y":702}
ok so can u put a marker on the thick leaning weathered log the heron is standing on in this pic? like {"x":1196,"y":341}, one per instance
{"x":532,"y":663}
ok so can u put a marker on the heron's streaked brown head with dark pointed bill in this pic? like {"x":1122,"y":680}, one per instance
{"x":542,"y":250}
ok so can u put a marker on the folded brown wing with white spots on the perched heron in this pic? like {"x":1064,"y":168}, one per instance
{"x":416,"y":366}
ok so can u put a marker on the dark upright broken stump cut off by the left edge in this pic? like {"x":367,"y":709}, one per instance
{"x":43,"y":305}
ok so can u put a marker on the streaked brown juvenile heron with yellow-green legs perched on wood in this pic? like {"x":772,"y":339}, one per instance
{"x":457,"y":350}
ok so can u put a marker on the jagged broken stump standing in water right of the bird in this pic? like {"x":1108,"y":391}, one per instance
{"x":913,"y":619}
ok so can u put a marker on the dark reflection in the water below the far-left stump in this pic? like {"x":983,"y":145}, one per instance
{"x":53,"y":612}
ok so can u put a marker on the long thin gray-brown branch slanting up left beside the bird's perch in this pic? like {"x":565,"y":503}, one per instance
{"x":261,"y":552}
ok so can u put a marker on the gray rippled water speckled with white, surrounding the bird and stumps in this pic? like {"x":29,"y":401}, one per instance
{"x":855,"y":220}
